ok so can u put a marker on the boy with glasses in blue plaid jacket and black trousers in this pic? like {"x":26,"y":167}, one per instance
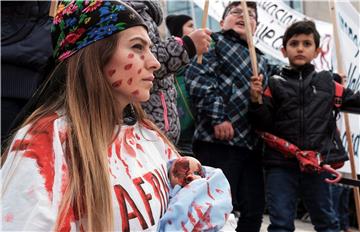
{"x":219,"y":89}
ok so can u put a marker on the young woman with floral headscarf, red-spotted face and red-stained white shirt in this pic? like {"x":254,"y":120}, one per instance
{"x":87,"y":158}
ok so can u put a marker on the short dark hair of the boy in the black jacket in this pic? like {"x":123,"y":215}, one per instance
{"x":306,"y":27}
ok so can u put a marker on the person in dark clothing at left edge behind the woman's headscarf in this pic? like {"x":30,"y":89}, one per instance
{"x":24,"y":61}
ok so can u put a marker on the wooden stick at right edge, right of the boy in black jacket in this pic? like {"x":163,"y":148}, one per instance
{"x":346,"y":116}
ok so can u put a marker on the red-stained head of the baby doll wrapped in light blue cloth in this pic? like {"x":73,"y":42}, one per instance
{"x":184,"y":170}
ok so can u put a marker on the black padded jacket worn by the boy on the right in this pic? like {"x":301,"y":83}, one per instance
{"x":301,"y":111}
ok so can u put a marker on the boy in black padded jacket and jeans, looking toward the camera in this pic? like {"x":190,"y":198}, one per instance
{"x":299,"y":107}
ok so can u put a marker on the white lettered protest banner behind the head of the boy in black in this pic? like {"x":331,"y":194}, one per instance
{"x":273,"y":18}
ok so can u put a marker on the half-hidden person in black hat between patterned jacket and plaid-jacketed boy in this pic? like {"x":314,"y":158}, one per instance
{"x":180,"y":25}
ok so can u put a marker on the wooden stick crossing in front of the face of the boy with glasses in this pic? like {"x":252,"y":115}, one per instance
{"x":250,"y":43}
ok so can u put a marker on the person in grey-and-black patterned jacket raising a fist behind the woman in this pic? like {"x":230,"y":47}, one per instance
{"x":172,"y":53}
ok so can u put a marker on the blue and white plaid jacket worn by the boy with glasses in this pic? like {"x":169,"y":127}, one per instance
{"x":220,"y":88}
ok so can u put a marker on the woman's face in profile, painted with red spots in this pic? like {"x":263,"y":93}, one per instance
{"x":130,"y":70}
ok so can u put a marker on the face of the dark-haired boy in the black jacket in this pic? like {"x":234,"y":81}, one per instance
{"x":300,"y":50}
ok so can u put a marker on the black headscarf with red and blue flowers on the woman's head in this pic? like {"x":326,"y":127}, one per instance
{"x":80,"y":23}
